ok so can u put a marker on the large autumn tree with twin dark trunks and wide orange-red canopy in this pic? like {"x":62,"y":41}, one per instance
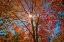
{"x":38,"y":21}
